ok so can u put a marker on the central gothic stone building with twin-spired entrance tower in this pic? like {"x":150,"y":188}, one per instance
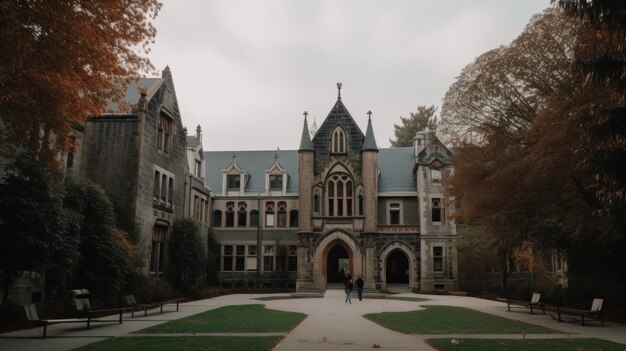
{"x":297,"y":218}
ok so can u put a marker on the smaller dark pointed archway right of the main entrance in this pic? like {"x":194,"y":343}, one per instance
{"x":395,"y":253}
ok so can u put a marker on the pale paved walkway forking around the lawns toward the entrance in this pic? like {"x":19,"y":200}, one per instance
{"x":331,"y":324}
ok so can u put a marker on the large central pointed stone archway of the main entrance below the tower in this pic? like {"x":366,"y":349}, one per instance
{"x":331,"y":247}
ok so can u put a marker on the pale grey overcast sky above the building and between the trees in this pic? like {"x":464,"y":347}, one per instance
{"x":247,"y":70}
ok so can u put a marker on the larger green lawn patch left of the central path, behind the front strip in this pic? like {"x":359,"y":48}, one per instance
{"x":233,"y":319}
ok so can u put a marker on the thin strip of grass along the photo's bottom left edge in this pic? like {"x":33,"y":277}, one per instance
{"x":191,"y":343}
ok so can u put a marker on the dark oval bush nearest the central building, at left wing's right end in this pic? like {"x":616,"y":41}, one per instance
{"x":187,"y":260}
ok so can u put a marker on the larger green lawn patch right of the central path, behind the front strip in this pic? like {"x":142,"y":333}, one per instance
{"x":447,"y":319}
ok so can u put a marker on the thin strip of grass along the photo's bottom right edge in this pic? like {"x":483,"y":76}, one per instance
{"x":528,"y":345}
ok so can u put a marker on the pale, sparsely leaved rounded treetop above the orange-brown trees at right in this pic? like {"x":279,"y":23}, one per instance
{"x":507,"y":85}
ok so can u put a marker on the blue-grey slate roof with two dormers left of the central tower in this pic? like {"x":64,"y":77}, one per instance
{"x":255,"y":163}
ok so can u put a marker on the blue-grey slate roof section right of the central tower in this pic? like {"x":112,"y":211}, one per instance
{"x":396,"y":169}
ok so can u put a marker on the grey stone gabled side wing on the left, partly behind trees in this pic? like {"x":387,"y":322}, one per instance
{"x":140,"y":155}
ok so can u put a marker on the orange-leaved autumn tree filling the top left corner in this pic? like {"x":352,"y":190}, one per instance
{"x":60,"y":62}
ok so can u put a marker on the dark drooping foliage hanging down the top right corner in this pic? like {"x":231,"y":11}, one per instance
{"x":602,"y":60}
